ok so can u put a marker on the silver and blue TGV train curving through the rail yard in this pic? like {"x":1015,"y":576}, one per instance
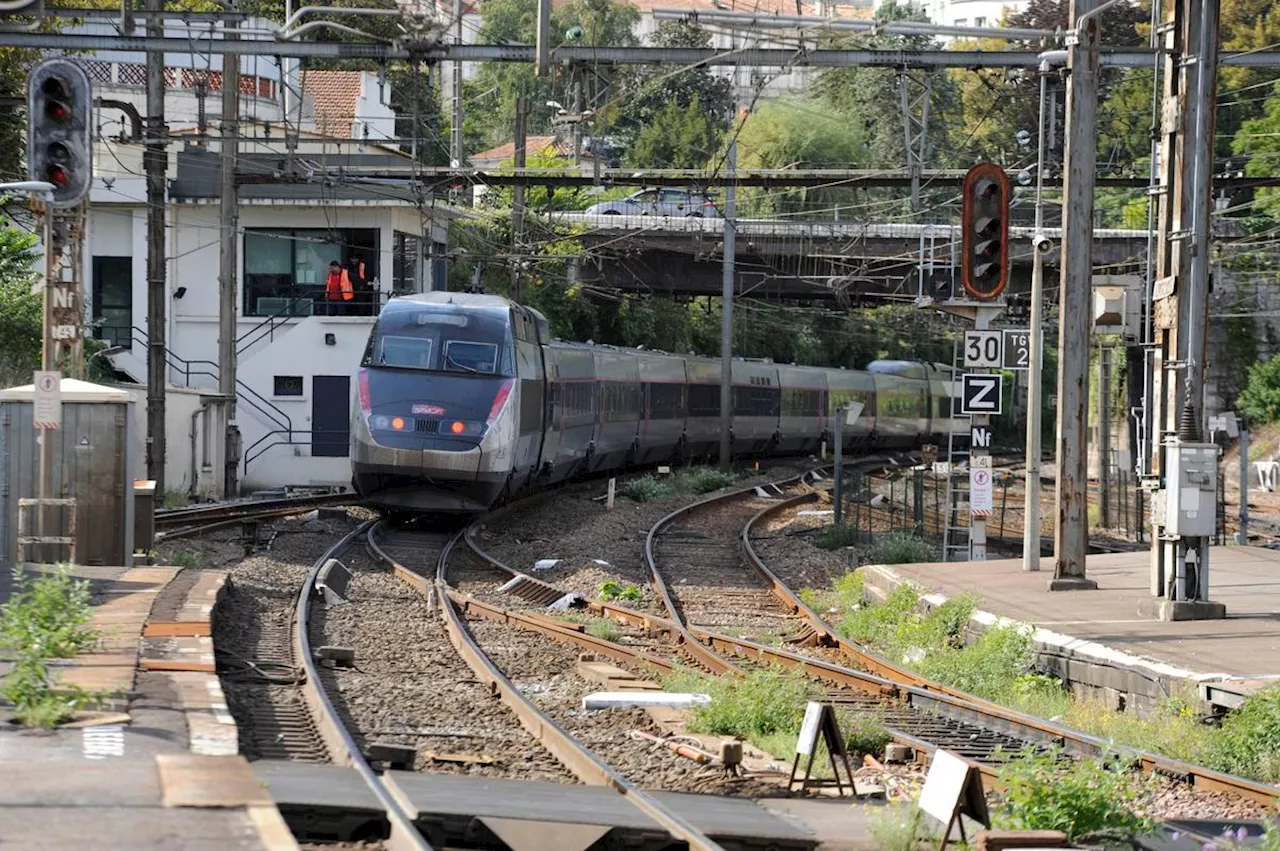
{"x":465,"y":401}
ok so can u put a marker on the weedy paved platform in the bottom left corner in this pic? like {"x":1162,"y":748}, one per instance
{"x":143,"y":775}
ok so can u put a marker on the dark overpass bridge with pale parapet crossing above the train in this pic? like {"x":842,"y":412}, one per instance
{"x":845,"y":262}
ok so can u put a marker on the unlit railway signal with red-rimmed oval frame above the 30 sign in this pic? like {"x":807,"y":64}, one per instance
{"x":985,"y":254}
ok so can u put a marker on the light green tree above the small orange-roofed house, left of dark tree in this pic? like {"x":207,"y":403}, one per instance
{"x":491,"y":98}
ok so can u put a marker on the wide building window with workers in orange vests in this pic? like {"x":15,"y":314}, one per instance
{"x":286,"y":271}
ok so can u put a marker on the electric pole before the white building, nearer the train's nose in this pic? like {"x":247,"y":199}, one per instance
{"x":230,"y":222}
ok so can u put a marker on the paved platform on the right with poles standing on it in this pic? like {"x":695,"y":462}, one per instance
{"x":1100,"y":643}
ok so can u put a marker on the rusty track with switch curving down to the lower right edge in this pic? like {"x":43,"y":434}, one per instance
{"x":917,"y":712}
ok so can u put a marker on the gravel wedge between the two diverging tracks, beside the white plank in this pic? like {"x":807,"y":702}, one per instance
{"x":545,"y":671}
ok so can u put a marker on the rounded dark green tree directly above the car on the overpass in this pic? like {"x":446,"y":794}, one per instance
{"x":691,"y":104}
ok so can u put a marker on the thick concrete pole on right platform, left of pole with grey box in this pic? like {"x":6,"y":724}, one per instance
{"x":1072,"y":537}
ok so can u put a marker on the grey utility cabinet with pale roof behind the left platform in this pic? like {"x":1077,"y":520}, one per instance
{"x":93,"y":464}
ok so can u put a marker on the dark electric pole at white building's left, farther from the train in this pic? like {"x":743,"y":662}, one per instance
{"x":156,"y":163}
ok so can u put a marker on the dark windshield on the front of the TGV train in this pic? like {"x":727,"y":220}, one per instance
{"x":442,"y":338}
